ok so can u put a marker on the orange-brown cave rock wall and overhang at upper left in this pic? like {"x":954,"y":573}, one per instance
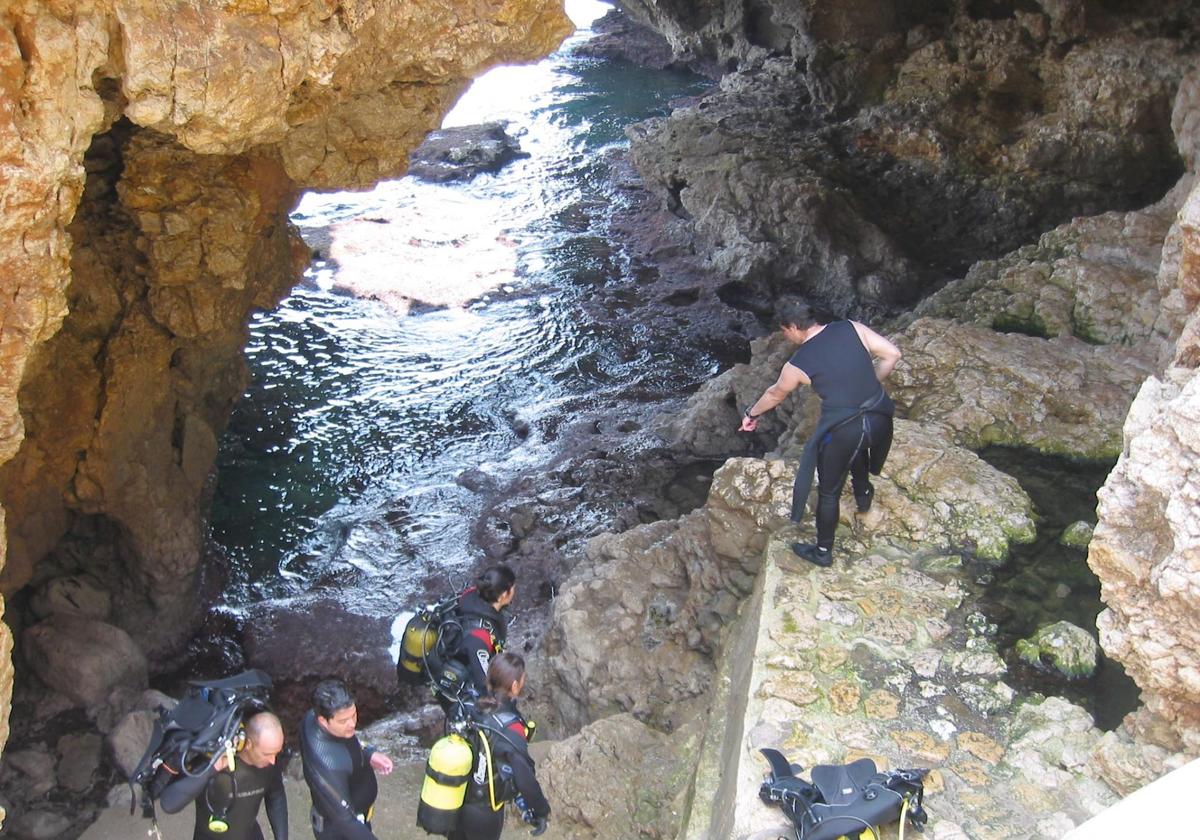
{"x":152,"y":153}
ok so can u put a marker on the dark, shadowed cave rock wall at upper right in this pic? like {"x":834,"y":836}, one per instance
{"x":875,"y":155}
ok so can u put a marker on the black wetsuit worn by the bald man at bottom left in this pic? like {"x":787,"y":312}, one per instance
{"x":237,"y":797}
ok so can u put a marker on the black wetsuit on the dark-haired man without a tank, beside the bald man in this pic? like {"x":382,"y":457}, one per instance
{"x":343,"y":783}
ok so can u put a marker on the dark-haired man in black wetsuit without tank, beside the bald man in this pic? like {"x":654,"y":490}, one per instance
{"x":340,"y":771}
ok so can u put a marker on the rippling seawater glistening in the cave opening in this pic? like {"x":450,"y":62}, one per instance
{"x":338,"y":470}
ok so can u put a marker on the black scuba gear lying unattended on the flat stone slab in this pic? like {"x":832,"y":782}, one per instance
{"x":849,"y":801}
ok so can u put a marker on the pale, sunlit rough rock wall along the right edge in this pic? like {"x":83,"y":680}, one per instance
{"x":1147,"y":547}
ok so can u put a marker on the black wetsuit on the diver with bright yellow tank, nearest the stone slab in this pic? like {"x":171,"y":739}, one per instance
{"x":513,"y":775}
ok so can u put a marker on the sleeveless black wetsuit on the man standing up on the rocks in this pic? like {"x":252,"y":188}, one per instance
{"x":855,"y":430}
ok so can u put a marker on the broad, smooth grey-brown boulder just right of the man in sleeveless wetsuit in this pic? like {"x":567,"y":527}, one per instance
{"x":1059,"y":397}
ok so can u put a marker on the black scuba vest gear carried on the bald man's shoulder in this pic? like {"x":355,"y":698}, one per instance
{"x":191,"y":739}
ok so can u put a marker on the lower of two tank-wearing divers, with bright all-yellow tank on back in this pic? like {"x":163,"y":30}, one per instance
{"x":511,"y":773}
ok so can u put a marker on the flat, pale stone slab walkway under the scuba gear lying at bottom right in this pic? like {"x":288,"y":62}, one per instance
{"x":867,"y":659}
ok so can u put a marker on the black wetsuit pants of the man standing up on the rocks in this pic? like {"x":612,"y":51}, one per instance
{"x":844,"y":452}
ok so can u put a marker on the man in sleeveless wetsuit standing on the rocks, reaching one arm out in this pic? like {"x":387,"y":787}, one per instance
{"x":845,"y":363}
